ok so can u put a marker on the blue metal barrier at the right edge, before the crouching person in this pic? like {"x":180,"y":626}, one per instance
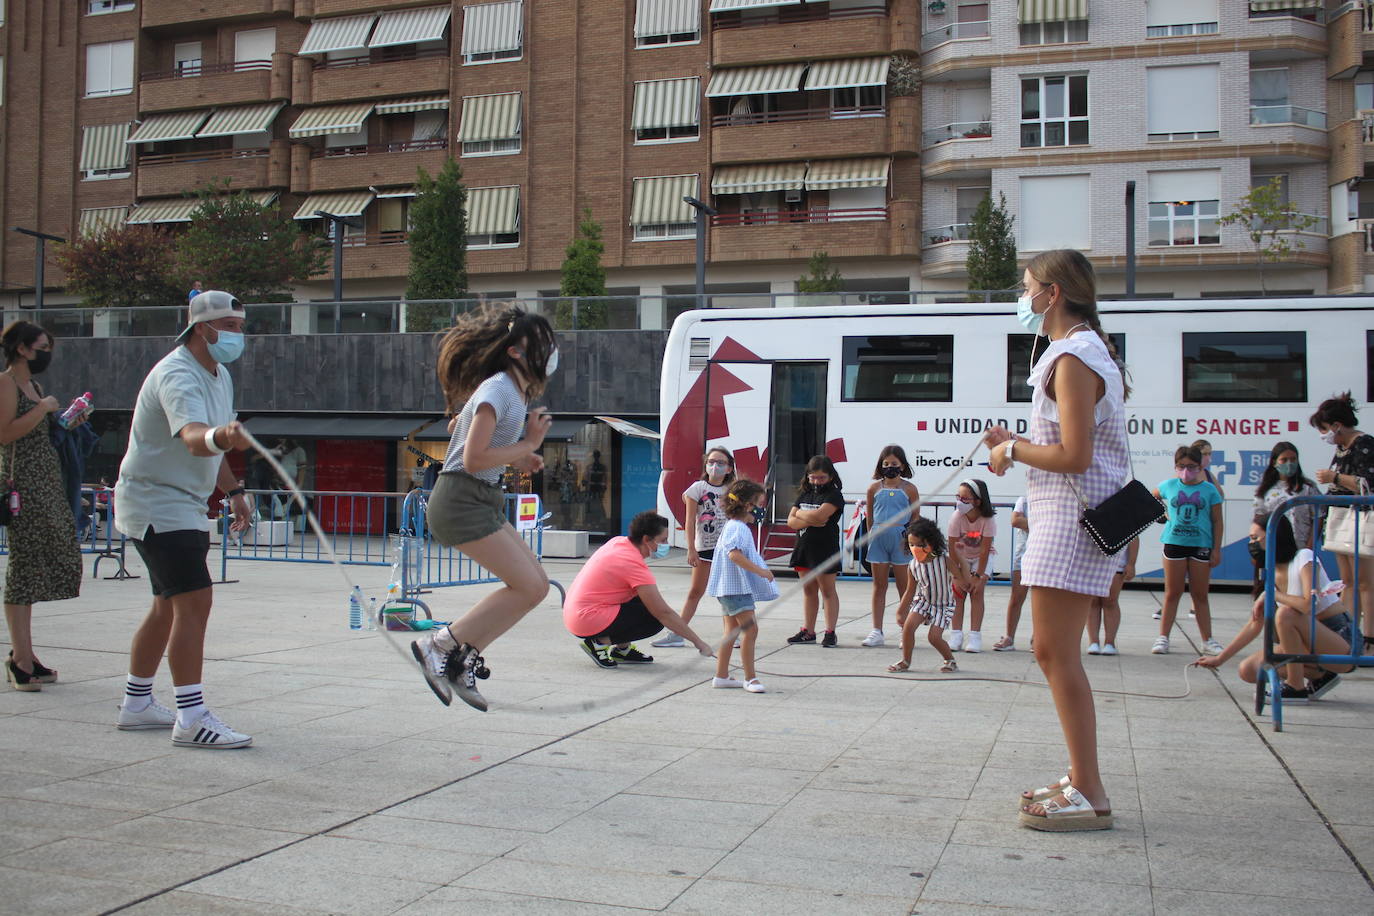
{"x":1269,"y":678}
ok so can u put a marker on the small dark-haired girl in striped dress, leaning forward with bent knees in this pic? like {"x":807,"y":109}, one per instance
{"x":930,"y":595}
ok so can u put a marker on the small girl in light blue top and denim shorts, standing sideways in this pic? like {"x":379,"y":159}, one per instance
{"x":739,"y":582}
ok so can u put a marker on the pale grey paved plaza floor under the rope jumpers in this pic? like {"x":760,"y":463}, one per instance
{"x":589,"y":790}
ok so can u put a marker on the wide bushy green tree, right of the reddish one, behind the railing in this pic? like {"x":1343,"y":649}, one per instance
{"x":247,"y":248}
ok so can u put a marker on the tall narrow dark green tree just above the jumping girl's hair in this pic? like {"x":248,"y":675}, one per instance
{"x":439,"y":247}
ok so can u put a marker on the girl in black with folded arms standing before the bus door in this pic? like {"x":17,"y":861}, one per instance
{"x":815,"y":517}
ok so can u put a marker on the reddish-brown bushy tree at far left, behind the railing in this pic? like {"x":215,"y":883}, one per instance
{"x":126,"y":267}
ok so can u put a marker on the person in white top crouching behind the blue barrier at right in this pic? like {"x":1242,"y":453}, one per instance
{"x":1294,"y":593}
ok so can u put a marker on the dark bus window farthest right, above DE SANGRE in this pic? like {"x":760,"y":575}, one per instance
{"x":1246,"y":366}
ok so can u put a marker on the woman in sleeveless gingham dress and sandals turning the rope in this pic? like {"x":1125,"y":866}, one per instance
{"x":1078,"y":448}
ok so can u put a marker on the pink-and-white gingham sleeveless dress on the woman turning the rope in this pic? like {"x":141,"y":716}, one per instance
{"x":1059,"y":551}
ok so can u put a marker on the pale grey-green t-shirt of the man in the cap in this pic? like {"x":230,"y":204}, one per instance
{"x":161,"y":484}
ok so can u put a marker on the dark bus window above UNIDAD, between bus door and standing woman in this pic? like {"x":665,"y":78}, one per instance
{"x":899,"y":369}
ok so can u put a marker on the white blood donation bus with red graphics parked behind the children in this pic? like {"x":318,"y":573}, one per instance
{"x":777,"y":387}
